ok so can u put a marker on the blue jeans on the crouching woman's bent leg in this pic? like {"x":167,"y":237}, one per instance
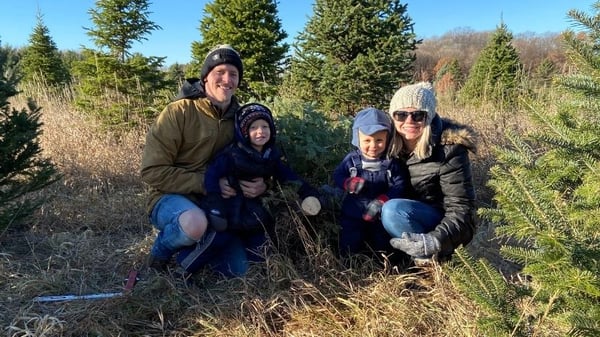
{"x":410,"y":216}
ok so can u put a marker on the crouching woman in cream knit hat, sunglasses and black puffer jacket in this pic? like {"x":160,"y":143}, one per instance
{"x":439,"y":214}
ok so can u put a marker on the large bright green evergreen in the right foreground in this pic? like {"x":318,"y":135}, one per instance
{"x":547,"y":189}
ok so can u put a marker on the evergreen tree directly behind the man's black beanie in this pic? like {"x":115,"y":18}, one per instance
{"x":254,"y":30}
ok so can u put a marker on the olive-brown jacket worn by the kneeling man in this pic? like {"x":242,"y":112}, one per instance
{"x":180,"y":144}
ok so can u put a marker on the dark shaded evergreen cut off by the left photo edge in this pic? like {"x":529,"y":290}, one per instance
{"x":22,"y":170}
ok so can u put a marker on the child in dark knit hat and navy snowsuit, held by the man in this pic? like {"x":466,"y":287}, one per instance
{"x":253,"y":154}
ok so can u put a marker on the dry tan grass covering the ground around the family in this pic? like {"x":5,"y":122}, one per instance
{"x":93,"y":230}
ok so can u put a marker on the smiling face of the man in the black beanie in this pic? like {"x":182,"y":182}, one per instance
{"x":221,"y":83}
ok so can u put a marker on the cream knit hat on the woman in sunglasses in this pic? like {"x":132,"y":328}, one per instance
{"x":419,"y":96}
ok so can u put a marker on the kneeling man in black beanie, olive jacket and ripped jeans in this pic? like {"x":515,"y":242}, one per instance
{"x":179,"y":146}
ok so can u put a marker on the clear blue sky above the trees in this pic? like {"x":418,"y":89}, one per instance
{"x":180,"y":20}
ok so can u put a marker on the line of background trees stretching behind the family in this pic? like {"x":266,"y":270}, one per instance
{"x":348,"y":56}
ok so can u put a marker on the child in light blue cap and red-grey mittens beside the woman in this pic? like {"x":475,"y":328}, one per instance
{"x":369,"y":178}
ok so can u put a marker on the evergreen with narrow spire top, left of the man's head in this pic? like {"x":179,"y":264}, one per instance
{"x":115,"y":84}
